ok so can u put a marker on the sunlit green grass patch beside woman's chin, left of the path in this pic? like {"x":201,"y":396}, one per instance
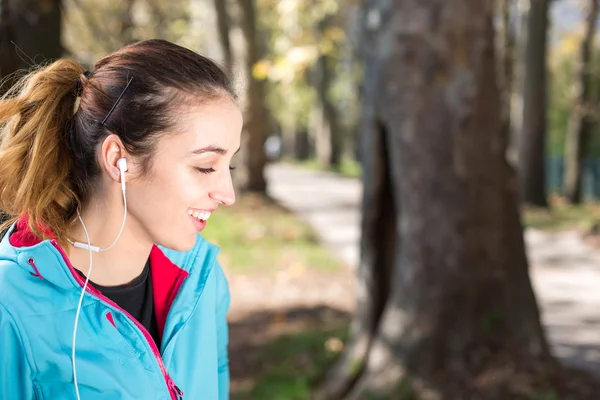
{"x":256,"y":234}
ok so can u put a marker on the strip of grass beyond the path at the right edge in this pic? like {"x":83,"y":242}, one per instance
{"x":561,"y":216}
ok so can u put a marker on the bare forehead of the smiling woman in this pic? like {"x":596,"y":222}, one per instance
{"x":217,"y":123}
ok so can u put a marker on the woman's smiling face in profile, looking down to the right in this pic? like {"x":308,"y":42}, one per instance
{"x":189,"y":176}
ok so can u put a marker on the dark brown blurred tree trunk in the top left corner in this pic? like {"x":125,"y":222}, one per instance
{"x":30,"y":34}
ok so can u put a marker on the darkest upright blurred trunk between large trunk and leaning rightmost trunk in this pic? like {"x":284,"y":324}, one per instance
{"x":533,"y":139}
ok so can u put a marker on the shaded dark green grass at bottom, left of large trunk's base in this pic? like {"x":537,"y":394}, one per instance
{"x":293,"y":363}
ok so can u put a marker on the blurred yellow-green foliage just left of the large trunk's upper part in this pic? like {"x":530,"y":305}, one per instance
{"x":298,"y":32}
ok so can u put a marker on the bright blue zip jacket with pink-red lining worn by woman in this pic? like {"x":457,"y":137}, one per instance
{"x":39,"y":292}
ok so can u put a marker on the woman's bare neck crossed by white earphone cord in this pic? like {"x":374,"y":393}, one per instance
{"x":124,"y":261}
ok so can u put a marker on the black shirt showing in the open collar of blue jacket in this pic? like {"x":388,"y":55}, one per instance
{"x":135,"y":297}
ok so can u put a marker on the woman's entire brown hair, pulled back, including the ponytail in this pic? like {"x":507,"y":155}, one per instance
{"x":54,"y":119}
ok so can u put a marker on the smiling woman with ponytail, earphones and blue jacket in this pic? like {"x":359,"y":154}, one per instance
{"x":107,"y":290}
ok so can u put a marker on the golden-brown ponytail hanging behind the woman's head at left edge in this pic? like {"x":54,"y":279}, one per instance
{"x":35,"y":162}
